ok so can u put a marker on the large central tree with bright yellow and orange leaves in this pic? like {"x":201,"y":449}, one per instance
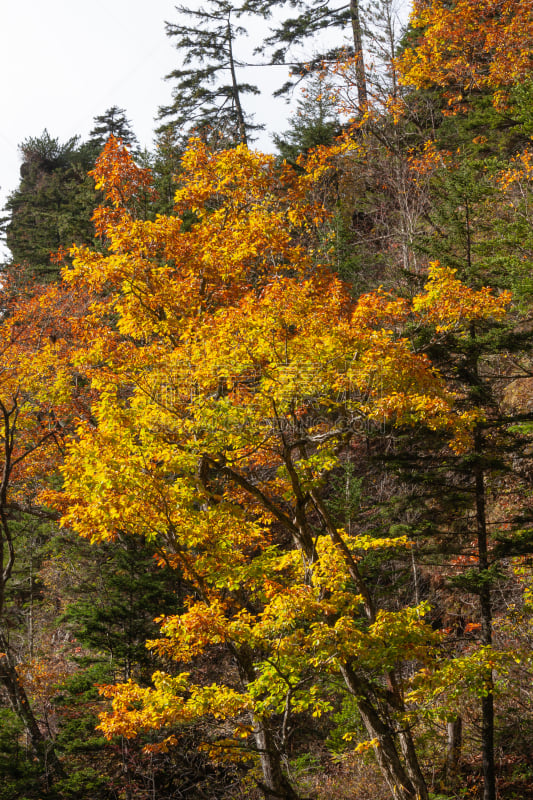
{"x":216,"y":438}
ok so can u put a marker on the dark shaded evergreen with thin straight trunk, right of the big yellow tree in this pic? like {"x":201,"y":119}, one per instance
{"x":471,"y":516}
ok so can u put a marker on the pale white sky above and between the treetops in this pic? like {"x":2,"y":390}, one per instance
{"x":63,"y":62}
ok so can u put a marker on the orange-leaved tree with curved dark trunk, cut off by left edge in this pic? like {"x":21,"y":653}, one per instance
{"x":35,"y":394}
